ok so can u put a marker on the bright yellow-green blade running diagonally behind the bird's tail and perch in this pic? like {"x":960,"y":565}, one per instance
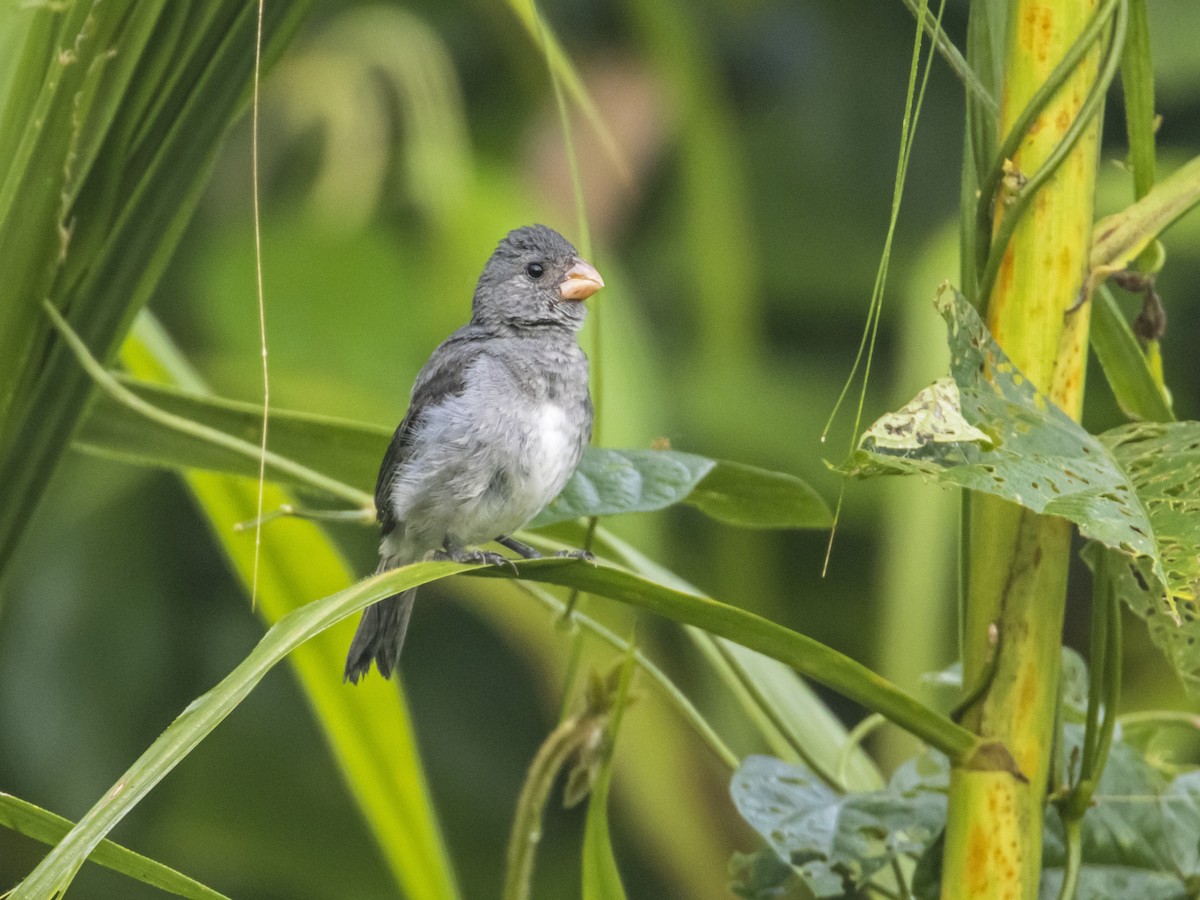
{"x":369,"y":730}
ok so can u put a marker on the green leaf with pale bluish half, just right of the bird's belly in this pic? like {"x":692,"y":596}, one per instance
{"x":613,"y":482}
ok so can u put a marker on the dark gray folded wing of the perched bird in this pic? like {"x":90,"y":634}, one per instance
{"x":443,"y":376}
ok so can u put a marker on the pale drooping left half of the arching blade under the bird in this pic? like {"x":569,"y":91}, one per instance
{"x":57,"y":871}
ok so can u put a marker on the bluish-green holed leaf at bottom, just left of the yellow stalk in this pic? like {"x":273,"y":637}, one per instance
{"x":835,"y":842}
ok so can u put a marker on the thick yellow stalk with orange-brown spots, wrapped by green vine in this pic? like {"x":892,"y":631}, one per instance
{"x":1018,"y":561}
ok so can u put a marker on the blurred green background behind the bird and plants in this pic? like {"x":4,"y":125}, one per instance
{"x":739,"y":237}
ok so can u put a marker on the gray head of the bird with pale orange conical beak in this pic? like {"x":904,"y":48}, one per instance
{"x":535,"y":279}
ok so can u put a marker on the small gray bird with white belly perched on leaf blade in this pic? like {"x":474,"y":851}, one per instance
{"x":496,"y":425}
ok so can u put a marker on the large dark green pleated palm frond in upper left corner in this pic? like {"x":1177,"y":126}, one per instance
{"x":111,"y":123}
